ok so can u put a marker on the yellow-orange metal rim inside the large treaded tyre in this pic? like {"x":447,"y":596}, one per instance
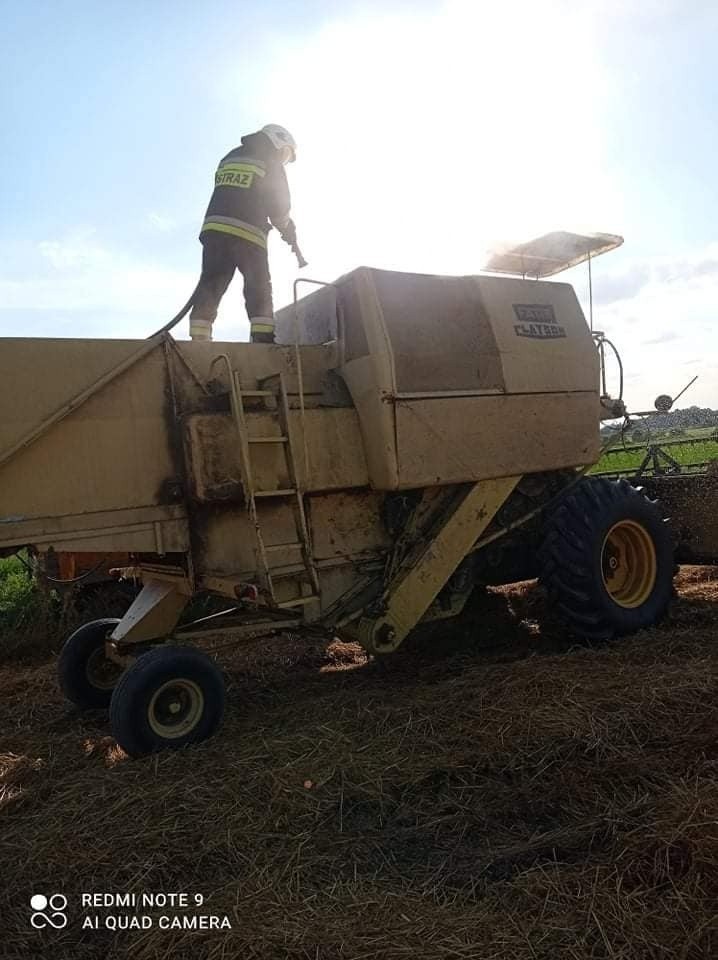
{"x":629,"y":564}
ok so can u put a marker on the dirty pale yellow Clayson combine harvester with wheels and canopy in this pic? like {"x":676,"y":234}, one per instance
{"x":416,"y":437}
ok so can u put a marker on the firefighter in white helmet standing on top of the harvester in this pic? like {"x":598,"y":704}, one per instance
{"x":250,"y":196}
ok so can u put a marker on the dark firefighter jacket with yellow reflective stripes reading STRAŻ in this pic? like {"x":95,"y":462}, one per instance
{"x":250,"y":192}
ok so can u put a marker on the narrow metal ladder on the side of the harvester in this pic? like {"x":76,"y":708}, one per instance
{"x":293,"y":492}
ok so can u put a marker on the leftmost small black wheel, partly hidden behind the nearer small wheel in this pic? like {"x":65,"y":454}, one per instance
{"x":86,"y":677}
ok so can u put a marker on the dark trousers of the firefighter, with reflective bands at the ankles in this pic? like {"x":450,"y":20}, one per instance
{"x":221,"y":256}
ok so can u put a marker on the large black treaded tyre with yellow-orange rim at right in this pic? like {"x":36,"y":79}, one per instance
{"x":607,"y":559}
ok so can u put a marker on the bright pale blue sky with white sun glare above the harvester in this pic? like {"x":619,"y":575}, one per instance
{"x":428,"y":133}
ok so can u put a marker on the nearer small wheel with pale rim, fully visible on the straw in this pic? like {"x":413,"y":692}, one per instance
{"x":169,"y":697}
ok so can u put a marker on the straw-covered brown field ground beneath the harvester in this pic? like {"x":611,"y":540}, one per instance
{"x":507,"y":793}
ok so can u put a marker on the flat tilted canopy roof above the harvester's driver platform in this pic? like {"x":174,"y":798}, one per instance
{"x":551,"y":253}
